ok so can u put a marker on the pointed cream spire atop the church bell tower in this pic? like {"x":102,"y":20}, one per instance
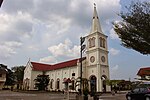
{"x":95,"y":22}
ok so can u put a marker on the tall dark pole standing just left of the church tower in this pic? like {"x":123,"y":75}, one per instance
{"x":82,"y":47}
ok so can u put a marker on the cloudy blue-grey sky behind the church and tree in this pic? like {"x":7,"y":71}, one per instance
{"x":48,"y":31}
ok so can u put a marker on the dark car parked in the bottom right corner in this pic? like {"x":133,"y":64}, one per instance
{"x":139,"y":93}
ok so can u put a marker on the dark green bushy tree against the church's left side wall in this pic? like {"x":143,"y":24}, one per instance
{"x":41,"y":82}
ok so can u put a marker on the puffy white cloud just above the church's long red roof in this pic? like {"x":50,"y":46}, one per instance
{"x":62,"y":50}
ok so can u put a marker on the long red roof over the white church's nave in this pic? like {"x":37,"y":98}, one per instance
{"x":47,"y":67}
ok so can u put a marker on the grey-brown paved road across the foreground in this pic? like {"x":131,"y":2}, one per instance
{"x":34,"y":95}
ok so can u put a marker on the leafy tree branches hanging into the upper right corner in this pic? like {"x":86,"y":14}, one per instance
{"x":134,"y":29}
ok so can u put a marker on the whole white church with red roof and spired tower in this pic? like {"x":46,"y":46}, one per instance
{"x":95,"y":65}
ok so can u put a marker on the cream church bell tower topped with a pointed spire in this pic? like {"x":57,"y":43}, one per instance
{"x":97,"y":69}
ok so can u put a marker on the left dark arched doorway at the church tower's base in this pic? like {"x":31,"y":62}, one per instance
{"x":93,"y":80}
